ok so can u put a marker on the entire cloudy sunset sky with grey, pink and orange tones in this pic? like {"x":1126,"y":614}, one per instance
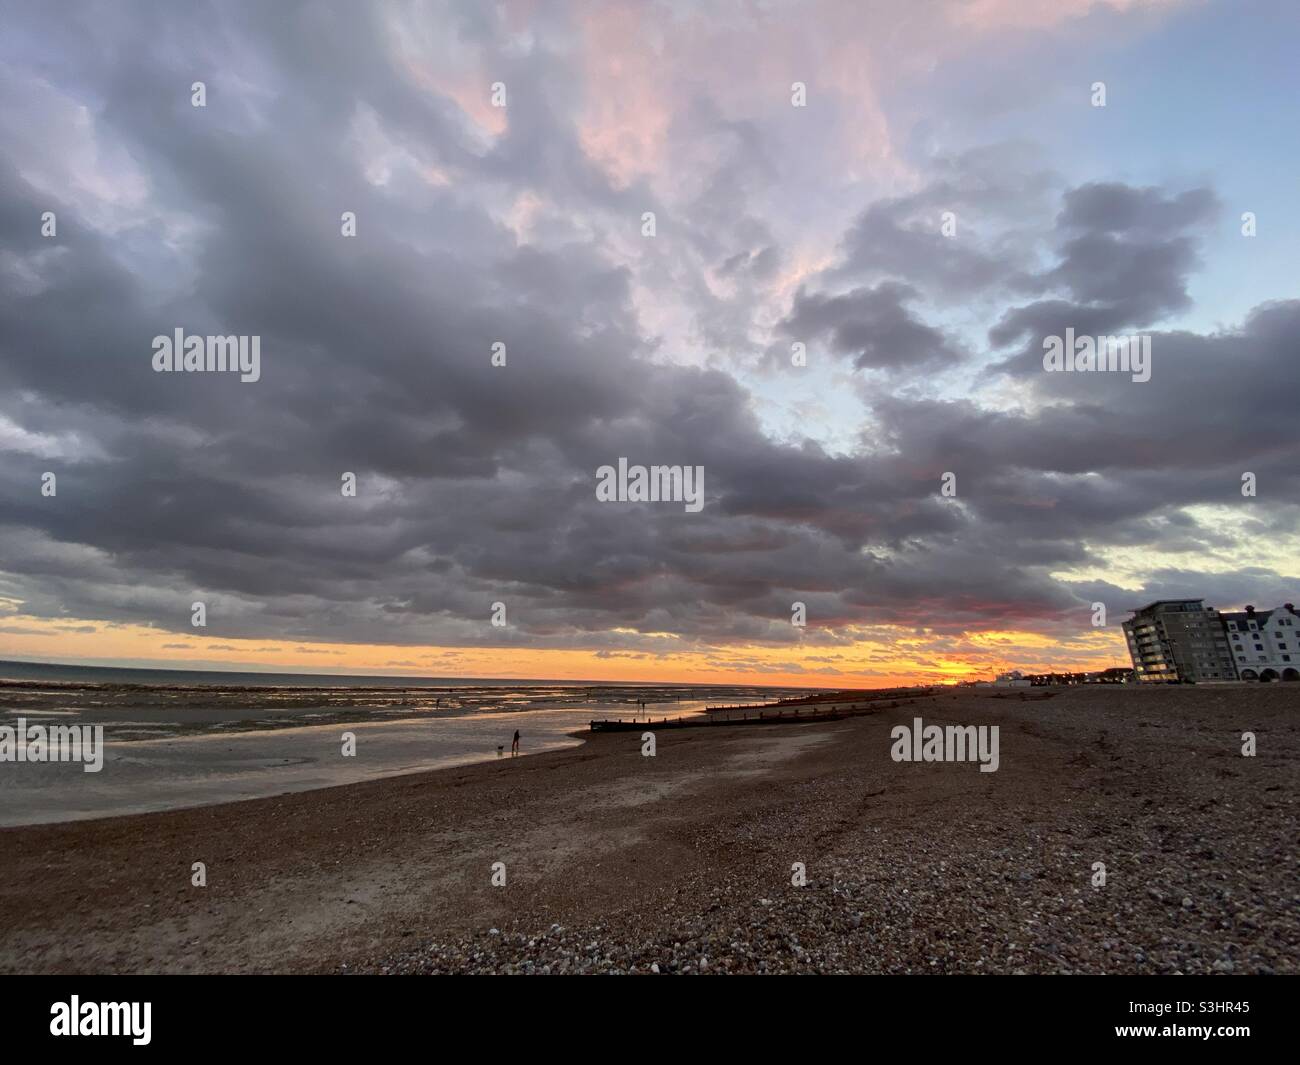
{"x":811,"y":249}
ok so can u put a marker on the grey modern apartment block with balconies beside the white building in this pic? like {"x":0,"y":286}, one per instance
{"x":1178,"y":640}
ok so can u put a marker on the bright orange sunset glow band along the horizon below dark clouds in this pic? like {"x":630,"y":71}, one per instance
{"x":894,"y":660}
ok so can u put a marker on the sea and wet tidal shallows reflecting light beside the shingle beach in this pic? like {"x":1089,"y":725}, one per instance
{"x":179,"y":738}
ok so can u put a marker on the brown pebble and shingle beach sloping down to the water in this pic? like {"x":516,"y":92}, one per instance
{"x":683,"y":863}
